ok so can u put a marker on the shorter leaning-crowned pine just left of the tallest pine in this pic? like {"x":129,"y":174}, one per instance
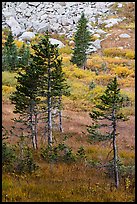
{"x":26,"y":98}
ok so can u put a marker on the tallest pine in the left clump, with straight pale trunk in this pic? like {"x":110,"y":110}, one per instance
{"x":47,"y":56}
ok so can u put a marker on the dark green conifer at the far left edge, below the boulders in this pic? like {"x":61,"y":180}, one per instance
{"x":9,"y":55}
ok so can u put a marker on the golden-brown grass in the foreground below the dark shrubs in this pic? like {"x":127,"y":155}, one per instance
{"x":63,"y":183}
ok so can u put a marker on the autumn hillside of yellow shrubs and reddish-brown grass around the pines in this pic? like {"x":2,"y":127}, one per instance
{"x":83,"y":180}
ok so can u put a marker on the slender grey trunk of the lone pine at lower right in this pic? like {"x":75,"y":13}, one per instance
{"x":115,"y":152}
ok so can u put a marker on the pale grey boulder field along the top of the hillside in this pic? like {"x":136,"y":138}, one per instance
{"x":25,"y":19}
